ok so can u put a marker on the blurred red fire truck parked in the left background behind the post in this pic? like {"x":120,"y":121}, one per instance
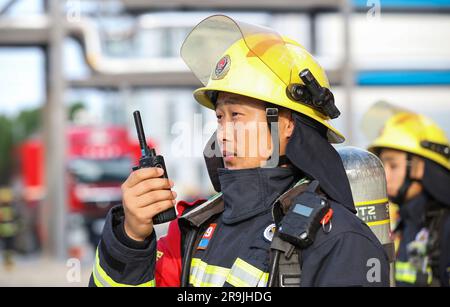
{"x":98,"y":160}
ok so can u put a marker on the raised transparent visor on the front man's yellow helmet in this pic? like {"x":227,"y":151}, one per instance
{"x":209,"y":40}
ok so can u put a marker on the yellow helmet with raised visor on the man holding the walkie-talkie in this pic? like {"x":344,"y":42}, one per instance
{"x":235,"y":57}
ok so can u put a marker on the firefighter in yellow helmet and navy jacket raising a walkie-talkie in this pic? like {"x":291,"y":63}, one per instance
{"x":283,"y":216}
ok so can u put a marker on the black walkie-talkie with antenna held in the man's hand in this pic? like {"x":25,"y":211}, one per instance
{"x":149,"y":158}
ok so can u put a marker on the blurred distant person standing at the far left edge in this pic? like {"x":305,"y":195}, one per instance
{"x":8,"y":226}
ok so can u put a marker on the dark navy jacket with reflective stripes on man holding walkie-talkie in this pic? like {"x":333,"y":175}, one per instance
{"x":222,"y":249}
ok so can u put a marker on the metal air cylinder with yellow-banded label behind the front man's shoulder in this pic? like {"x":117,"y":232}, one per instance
{"x":367,"y":179}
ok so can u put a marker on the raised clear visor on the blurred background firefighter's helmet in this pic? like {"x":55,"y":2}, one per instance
{"x":376,"y":117}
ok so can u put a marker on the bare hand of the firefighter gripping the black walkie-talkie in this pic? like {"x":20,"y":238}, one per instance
{"x":144,"y":196}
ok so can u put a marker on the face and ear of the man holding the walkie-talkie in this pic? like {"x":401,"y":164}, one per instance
{"x":243,"y":133}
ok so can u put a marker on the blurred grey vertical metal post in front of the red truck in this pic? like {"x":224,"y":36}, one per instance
{"x":55,"y":204}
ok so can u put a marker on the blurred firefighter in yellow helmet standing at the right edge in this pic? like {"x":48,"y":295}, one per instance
{"x":416,"y":156}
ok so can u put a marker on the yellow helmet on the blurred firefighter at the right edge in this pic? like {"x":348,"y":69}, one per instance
{"x":416,"y":134}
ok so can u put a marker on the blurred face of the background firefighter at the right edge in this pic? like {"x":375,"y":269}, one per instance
{"x":395,"y":163}
